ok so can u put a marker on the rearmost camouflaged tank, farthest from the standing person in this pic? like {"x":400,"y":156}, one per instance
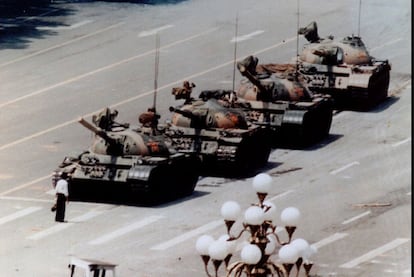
{"x":344,"y":69}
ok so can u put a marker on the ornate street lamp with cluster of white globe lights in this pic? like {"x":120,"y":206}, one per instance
{"x":262,"y":241}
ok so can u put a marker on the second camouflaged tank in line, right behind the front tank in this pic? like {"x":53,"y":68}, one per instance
{"x":226,"y":142}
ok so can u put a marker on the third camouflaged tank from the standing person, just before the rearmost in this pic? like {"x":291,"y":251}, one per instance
{"x":273,"y":95}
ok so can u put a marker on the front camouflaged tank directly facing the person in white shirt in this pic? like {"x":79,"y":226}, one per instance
{"x":127,"y":164}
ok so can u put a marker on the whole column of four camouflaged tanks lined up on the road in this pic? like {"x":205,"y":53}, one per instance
{"x":227,"y":132}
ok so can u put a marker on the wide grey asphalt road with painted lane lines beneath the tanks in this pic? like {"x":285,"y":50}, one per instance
{"x":65,"y":60}
